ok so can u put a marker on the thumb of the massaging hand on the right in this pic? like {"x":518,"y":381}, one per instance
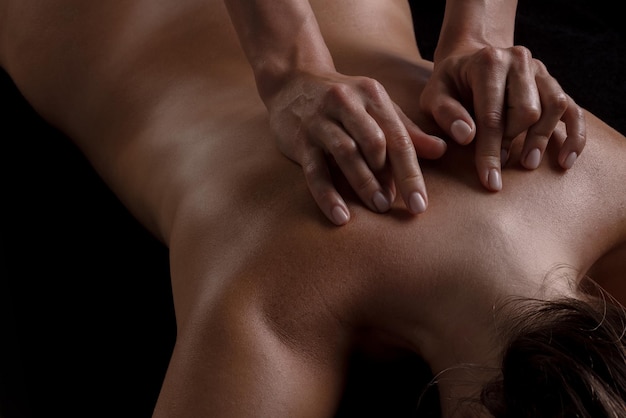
{"x":451,"y":116}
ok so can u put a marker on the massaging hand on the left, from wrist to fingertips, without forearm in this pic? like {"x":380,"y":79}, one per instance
{"x":351,"y":120}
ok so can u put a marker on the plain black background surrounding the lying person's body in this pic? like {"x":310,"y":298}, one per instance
{"x":86,"y":318}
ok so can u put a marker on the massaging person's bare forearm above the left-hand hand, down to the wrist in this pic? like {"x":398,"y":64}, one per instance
{"x":279,"y":37}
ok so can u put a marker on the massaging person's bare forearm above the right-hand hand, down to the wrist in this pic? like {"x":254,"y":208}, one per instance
{"x":468,"y":23}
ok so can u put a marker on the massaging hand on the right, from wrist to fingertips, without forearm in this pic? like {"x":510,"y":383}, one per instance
{"x":509,"y":92}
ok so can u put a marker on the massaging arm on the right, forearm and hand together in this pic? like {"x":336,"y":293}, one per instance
{"x":478,"y":69}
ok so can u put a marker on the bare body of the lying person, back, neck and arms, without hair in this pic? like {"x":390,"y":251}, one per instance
{"x":270,"y":297}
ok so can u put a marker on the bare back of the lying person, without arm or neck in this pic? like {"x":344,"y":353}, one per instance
{"x":186,"y":147}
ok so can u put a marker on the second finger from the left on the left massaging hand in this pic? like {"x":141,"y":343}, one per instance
{"x":350,"y":161}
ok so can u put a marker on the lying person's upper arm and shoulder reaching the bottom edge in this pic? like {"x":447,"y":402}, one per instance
{"x":231,"y":360}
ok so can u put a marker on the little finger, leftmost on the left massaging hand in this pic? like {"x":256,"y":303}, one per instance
{"x":322,"y":189}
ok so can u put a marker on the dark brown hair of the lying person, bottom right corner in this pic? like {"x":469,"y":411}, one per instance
{"x":564,"y":358}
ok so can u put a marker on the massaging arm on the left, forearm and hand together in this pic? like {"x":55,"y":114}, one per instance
{"x":316,"y":112}
